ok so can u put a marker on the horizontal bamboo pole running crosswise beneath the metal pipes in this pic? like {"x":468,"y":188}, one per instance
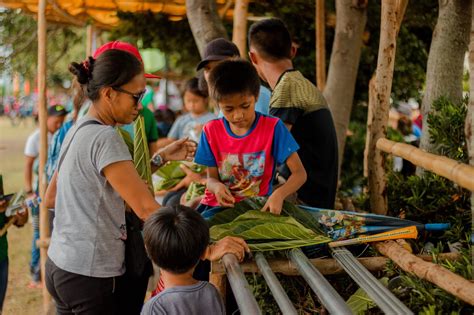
{"x":325,"y":265}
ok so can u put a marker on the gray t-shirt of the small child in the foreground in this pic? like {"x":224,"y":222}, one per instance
{"x":197,"y":299}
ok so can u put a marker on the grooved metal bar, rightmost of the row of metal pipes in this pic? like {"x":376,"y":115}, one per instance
{"x":384,"y":299}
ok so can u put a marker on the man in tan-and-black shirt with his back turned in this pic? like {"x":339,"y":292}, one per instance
{"x":301,"y":106}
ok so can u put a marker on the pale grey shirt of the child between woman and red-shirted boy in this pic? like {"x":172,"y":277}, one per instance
{"x":185,"y":125}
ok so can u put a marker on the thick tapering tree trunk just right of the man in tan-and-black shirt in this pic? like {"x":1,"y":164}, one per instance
{"x":342,"y":74}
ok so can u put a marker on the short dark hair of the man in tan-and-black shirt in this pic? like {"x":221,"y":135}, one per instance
{"x":271,"y":39}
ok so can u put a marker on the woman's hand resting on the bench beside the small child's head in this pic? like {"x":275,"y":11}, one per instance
{"x":227,"y":245}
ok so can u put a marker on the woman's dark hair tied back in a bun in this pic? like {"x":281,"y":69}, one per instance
{"x":112,"y":68}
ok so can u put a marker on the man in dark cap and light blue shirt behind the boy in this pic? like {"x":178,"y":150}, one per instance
{"x":221,"y":49}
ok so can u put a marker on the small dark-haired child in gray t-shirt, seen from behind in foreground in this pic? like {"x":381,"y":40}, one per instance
{"x":176,"y":239}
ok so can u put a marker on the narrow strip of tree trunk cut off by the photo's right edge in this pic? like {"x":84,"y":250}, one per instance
{"x":470,"y":113}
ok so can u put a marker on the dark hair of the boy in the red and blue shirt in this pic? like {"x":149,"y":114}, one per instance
{"x":235,"y":76}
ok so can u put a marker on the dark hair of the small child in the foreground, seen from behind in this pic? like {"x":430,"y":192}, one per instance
{"x":175,"y":238}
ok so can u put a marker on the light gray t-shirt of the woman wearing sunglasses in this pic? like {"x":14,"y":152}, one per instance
{"x":89,"y":225}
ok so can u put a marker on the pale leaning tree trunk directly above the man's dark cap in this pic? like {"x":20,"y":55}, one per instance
{"x":204,"y":22}
